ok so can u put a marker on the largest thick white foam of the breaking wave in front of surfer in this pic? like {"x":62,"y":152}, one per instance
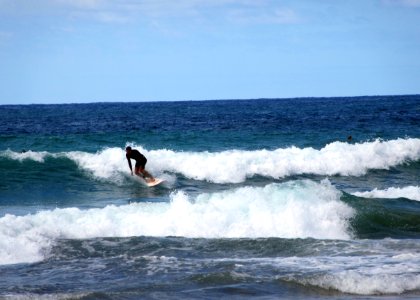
{"x":291,"y":210}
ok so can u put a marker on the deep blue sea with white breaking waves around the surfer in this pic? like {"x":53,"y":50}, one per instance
{"x":313,"y":198}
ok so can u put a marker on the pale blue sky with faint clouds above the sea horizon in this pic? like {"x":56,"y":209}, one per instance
{"x":155,"y":50}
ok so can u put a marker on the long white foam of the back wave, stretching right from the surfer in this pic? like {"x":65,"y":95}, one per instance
{"x":334,"y":159}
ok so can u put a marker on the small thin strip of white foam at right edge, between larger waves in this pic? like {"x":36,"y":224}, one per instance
{"x":409,"y":192}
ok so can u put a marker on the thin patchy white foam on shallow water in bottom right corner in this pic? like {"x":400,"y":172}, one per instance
{"x":386,"y":267}
